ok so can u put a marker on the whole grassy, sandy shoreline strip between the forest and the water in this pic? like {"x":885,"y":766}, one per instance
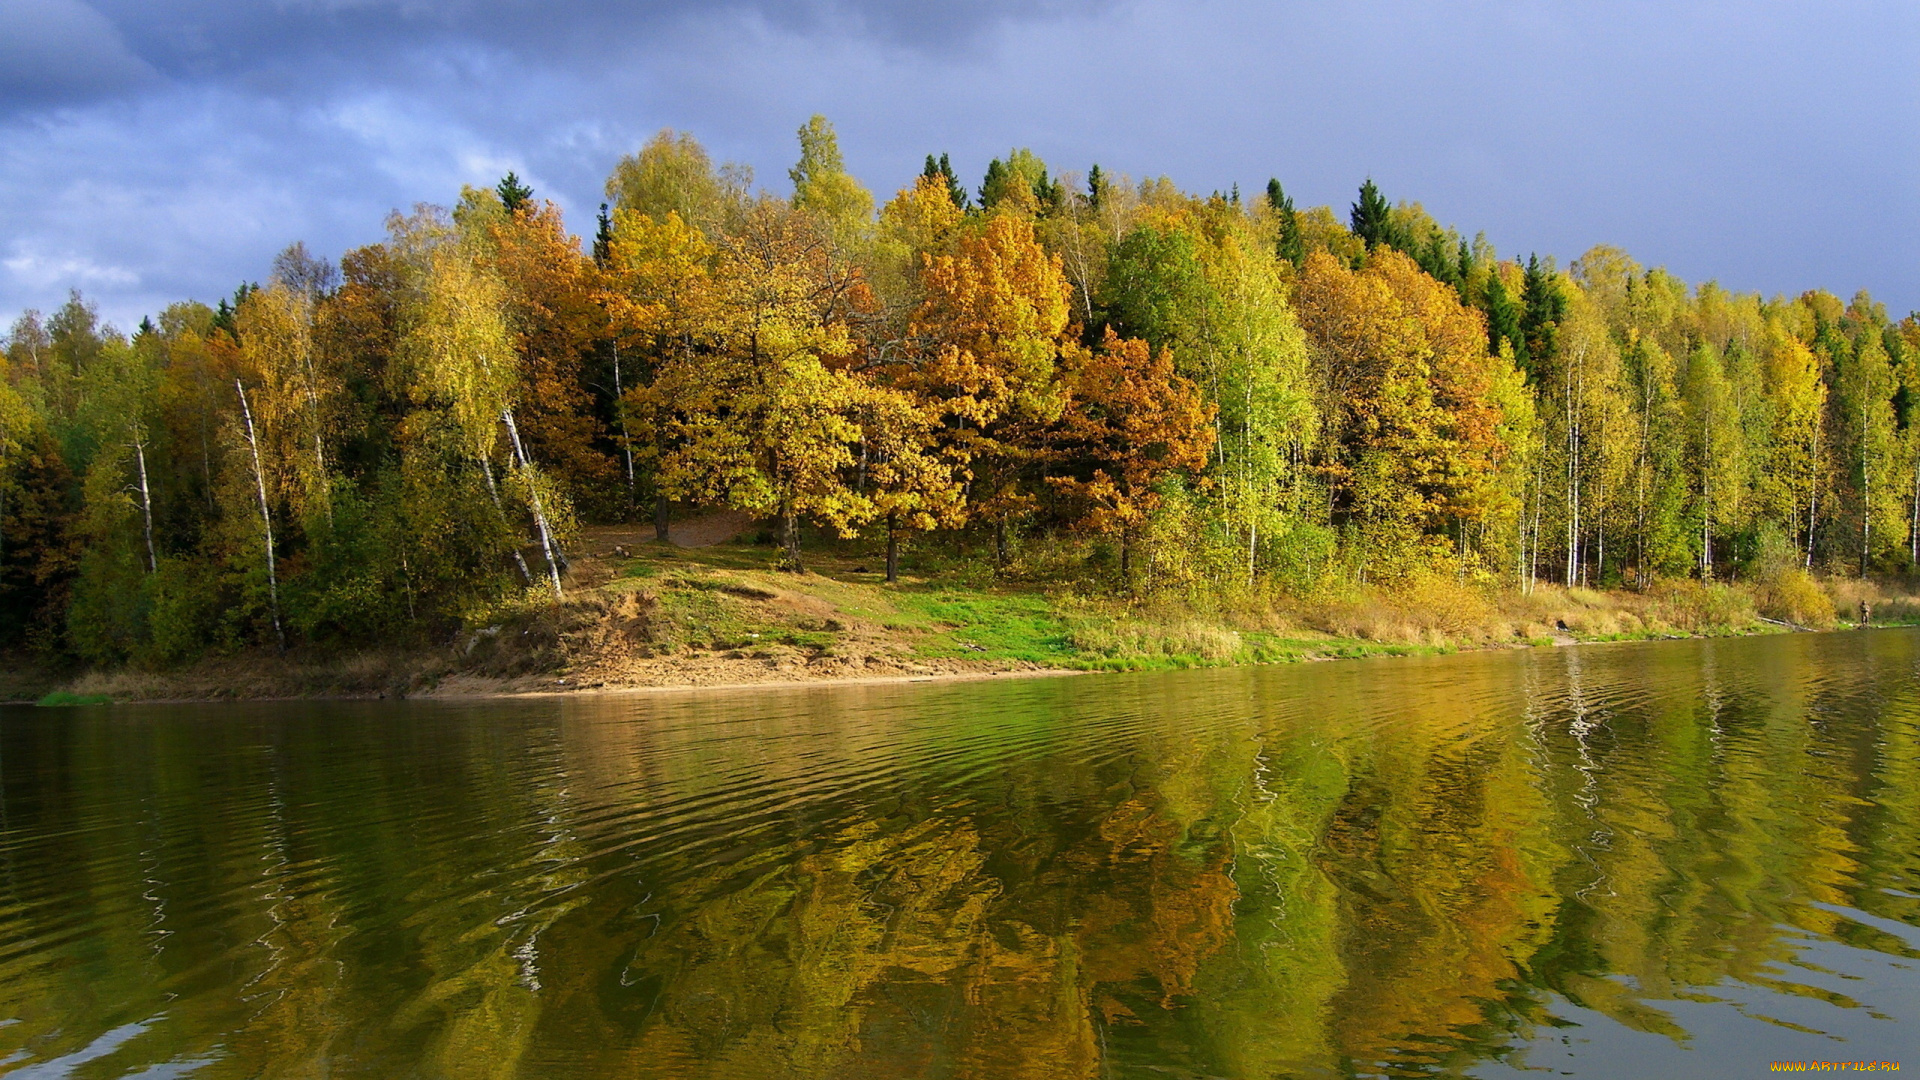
{"x":642,"y":616}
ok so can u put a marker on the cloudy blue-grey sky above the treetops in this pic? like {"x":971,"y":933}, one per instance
{"x":156,"y":151}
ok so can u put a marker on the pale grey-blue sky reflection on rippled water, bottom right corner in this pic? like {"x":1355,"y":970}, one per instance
{"x":1833,"y":1004}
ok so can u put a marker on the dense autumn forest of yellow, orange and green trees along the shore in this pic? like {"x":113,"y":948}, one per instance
{"x":1128,"y":387}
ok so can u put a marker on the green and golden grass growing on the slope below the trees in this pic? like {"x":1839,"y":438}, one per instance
{"x":731,"y":601}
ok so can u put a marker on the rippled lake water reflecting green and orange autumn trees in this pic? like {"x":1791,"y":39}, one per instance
{"x":1677,"y":860}
